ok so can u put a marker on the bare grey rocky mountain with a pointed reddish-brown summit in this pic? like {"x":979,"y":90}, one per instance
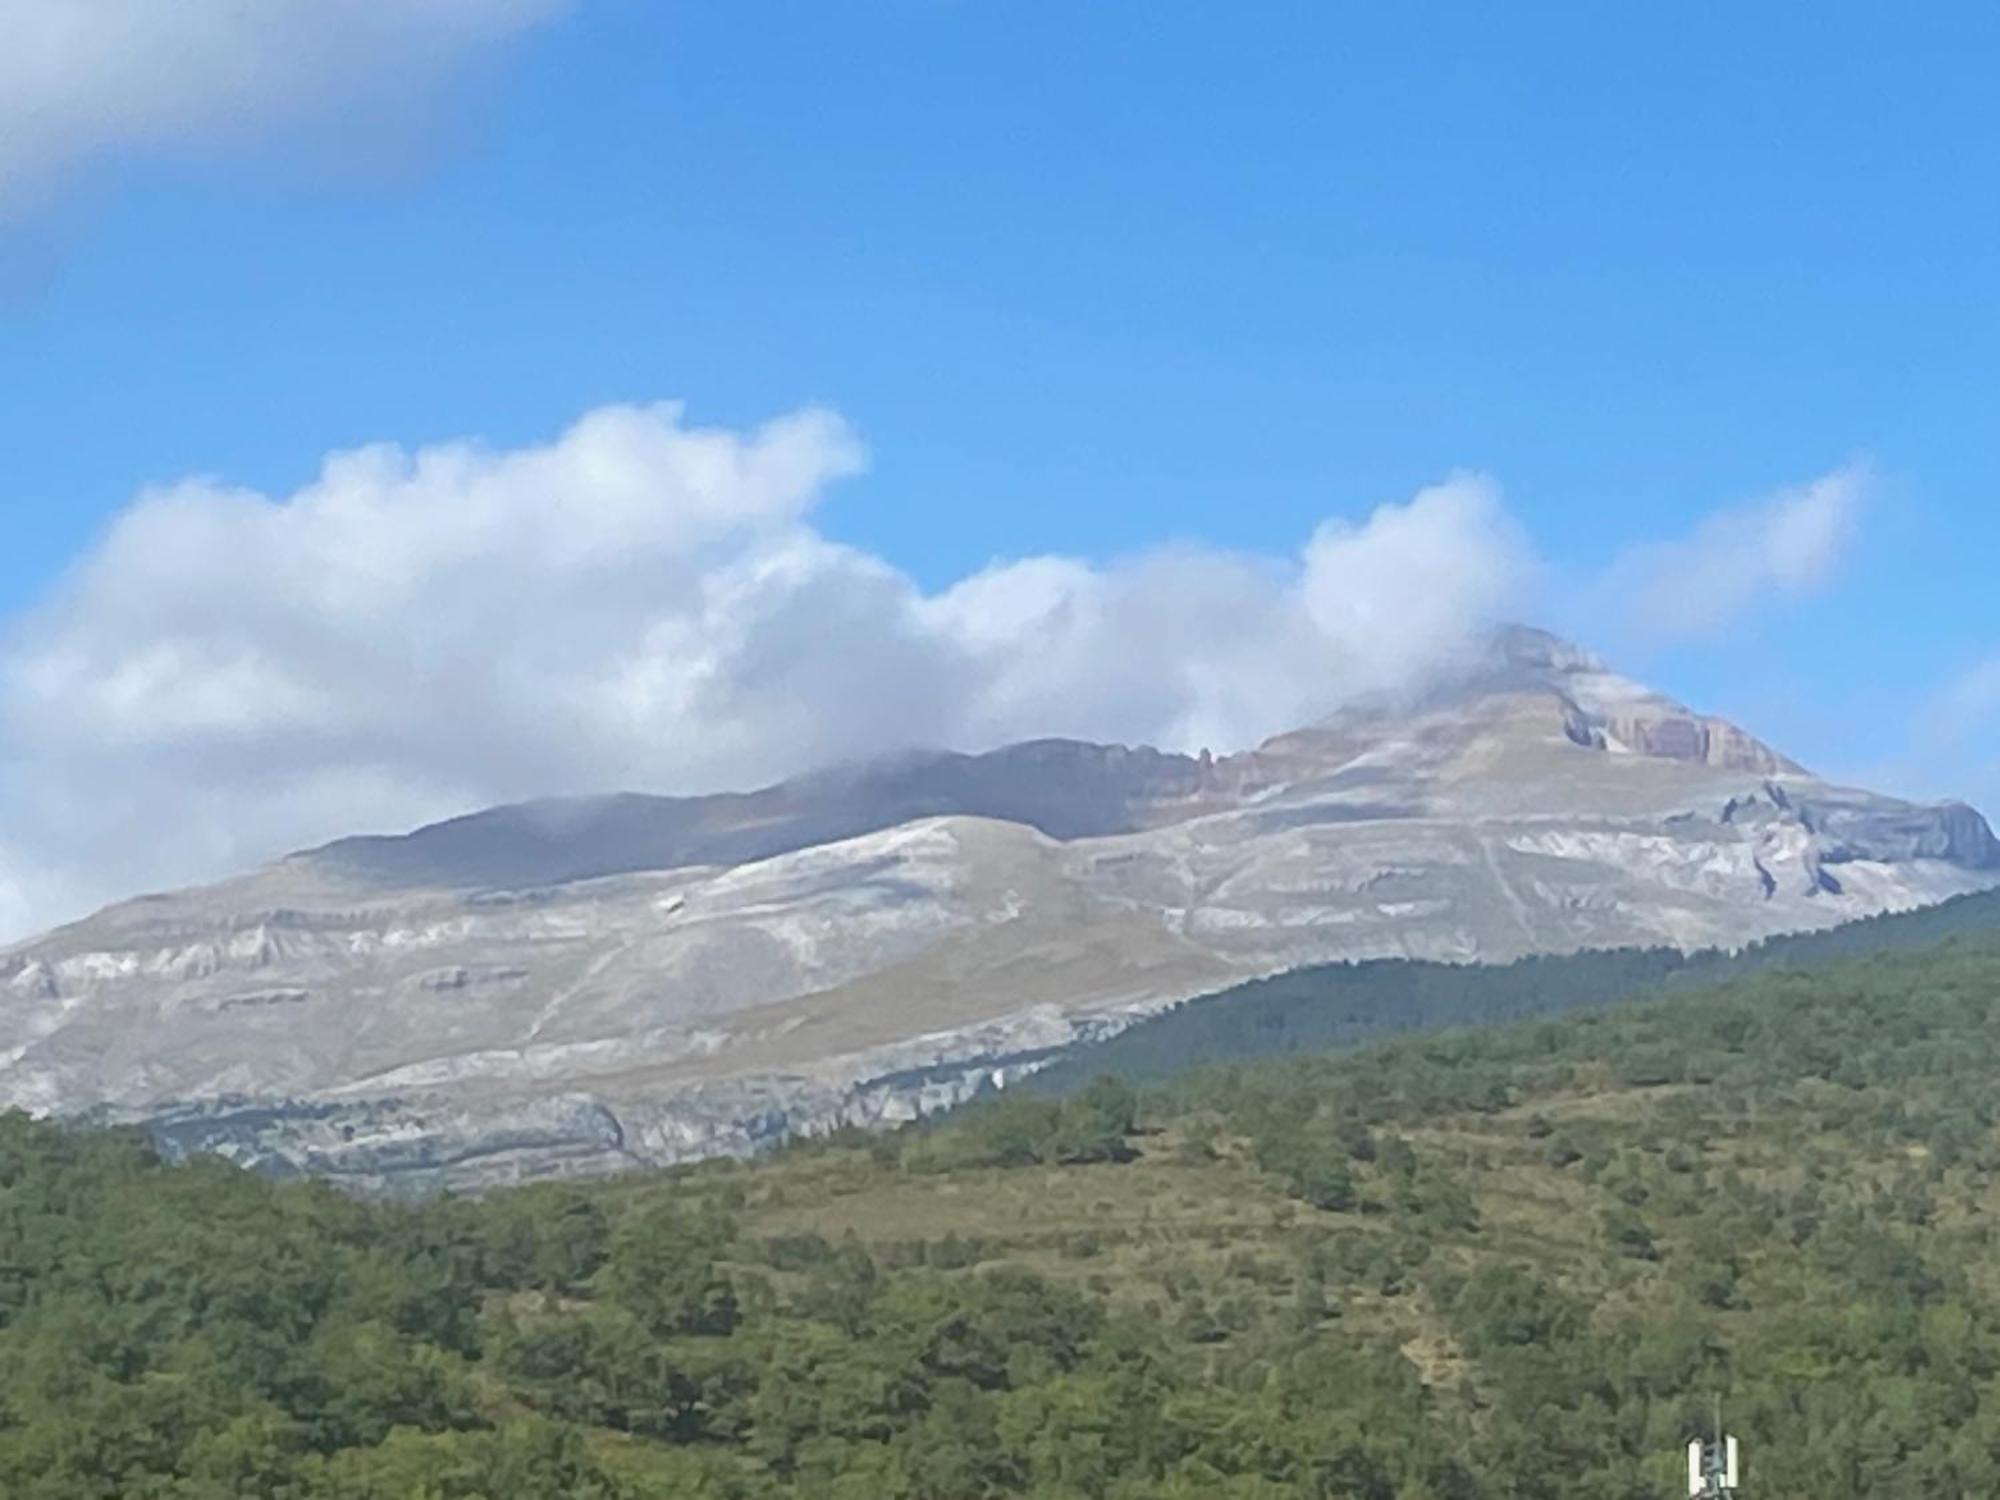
{"x":573,"y":987}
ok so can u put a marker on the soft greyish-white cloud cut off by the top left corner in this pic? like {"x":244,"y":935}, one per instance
{"x":85,"y":79}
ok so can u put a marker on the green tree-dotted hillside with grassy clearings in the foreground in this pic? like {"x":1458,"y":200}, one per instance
{"x":1483,"y":1265}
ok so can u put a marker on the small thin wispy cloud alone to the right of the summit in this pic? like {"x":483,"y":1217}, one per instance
{"x":1737,"y":561}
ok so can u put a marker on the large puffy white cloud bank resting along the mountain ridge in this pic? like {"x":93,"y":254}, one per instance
{"x":635,"y":605}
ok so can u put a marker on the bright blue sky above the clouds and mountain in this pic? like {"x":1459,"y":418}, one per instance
{"x":1087,"y":281}
